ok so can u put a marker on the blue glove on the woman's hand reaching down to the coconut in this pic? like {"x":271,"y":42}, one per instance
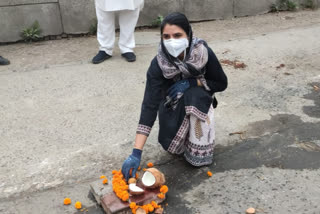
{"x":132,"y":162}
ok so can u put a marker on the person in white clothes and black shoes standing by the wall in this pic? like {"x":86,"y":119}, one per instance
{"x":128,"y":12}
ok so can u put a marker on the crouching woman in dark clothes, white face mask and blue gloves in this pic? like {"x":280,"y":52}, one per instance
{"x":181,"y":82}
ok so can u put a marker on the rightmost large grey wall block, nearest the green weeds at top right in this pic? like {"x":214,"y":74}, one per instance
{"x":251,"y":7}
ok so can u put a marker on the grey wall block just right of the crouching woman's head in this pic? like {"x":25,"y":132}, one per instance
{"x":197,"y":10}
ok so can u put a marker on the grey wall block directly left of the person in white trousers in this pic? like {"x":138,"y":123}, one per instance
{"x":77,"y":15}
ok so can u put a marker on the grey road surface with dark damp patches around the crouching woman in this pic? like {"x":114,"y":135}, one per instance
{"x":64,"y":121}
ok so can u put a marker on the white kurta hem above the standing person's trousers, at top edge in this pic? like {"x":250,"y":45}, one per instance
{"x":117,"y":5}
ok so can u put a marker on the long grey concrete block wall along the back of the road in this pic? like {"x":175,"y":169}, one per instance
{"x":76,"y":16}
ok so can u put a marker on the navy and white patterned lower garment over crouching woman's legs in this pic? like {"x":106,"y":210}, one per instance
{"x":189,"y":128}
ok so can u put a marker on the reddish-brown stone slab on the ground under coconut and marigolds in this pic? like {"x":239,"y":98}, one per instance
{"x":112,"y":204}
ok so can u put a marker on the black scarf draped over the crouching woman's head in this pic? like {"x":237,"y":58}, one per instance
{"x":180,"y":20}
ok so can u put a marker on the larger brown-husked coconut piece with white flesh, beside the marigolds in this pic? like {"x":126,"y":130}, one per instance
{"x":153,"y":178}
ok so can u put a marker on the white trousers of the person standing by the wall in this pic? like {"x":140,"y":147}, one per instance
{"x":106,"y":29}
